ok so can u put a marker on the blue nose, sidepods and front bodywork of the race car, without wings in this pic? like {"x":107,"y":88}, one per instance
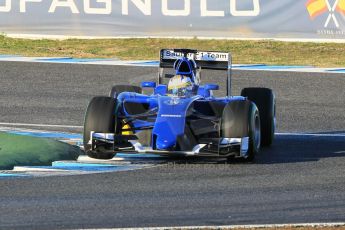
{"x":167,"y":114}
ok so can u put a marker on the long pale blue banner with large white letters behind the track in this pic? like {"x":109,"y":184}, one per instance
{"x":296,"y":19}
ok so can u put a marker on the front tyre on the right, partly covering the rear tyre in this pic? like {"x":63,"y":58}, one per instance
{"x":242,"y":119}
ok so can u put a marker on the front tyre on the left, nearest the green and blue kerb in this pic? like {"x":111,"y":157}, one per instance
{"x":99,"y":117}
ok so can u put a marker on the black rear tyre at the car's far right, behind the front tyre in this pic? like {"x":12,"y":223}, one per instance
{"x":264,"y":99}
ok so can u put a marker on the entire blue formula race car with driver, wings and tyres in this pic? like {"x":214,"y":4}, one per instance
{"x":181,"y":117}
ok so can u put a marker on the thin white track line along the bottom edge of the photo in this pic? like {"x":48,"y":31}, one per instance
{"x":273,"y":226}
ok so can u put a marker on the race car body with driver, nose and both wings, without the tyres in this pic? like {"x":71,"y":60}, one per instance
{"x":181,"y":117}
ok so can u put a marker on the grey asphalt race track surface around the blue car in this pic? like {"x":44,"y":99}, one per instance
{"x":300,"y":179}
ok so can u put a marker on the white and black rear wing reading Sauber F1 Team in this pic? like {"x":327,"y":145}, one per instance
{"x":211,"y":60}
